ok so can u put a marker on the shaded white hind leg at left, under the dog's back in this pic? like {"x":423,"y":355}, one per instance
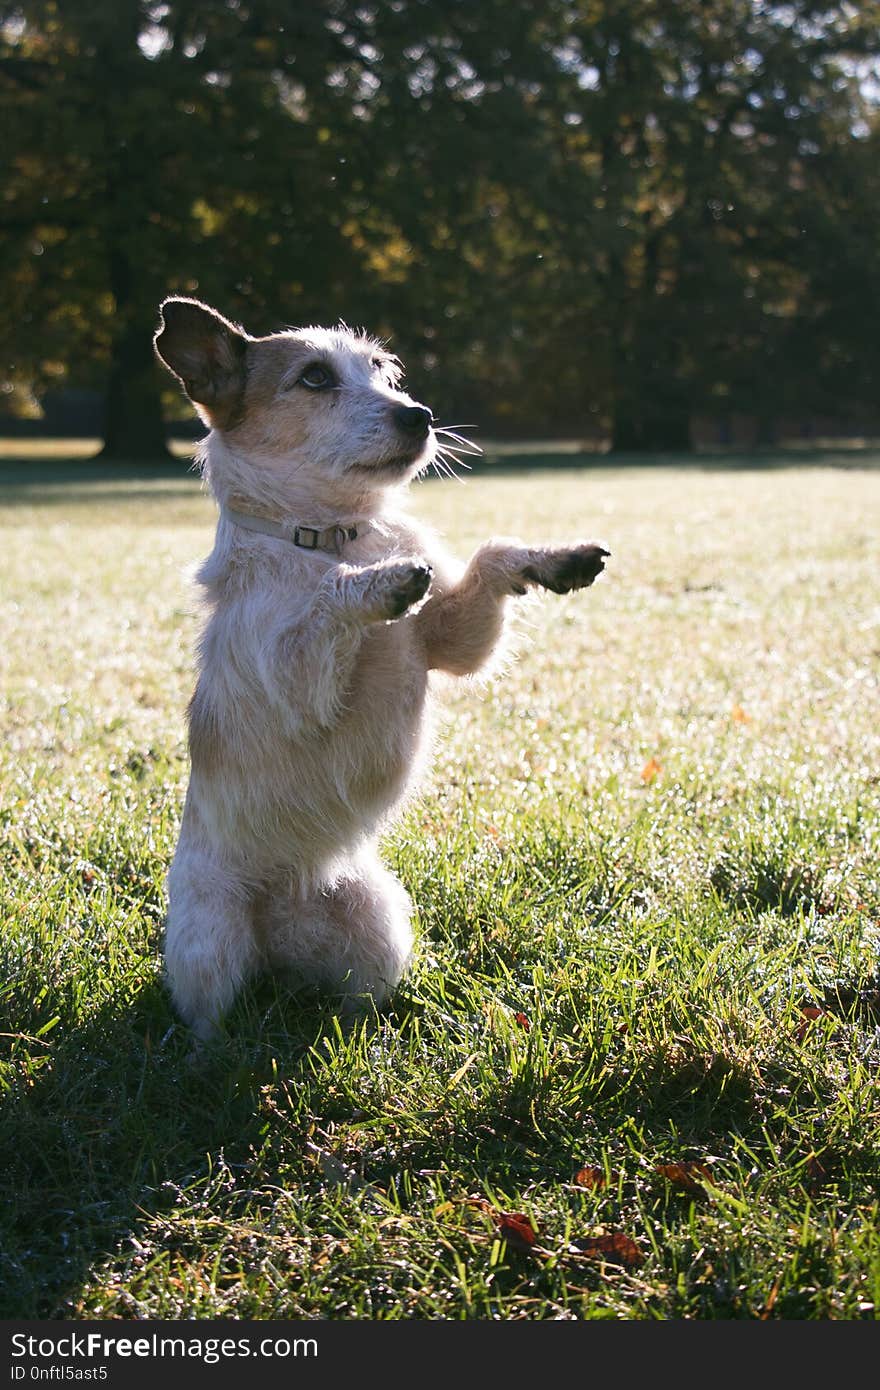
{"x":211,"y":943}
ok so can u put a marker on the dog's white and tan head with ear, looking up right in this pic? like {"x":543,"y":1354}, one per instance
{"x":315,"y":408}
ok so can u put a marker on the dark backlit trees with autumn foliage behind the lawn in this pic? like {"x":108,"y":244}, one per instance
{"x":601,"y":216}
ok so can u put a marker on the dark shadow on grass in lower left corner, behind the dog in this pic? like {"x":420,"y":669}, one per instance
{"x":112,"y":1131}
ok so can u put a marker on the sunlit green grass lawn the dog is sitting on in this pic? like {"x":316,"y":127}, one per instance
{"x":639,"y":857}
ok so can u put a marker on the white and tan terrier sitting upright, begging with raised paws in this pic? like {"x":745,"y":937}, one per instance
{"x":329,"y":608}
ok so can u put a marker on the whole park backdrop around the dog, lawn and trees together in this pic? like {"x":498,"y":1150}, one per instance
{"x":633,"y":1071}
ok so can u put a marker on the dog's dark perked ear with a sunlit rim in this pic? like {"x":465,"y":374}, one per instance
{"x":206,"y":352}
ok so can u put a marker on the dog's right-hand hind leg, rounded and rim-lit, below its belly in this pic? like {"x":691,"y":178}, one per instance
{"x":351,"y":935}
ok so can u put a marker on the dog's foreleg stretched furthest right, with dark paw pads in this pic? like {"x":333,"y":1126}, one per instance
{"x":462,"y":626}
